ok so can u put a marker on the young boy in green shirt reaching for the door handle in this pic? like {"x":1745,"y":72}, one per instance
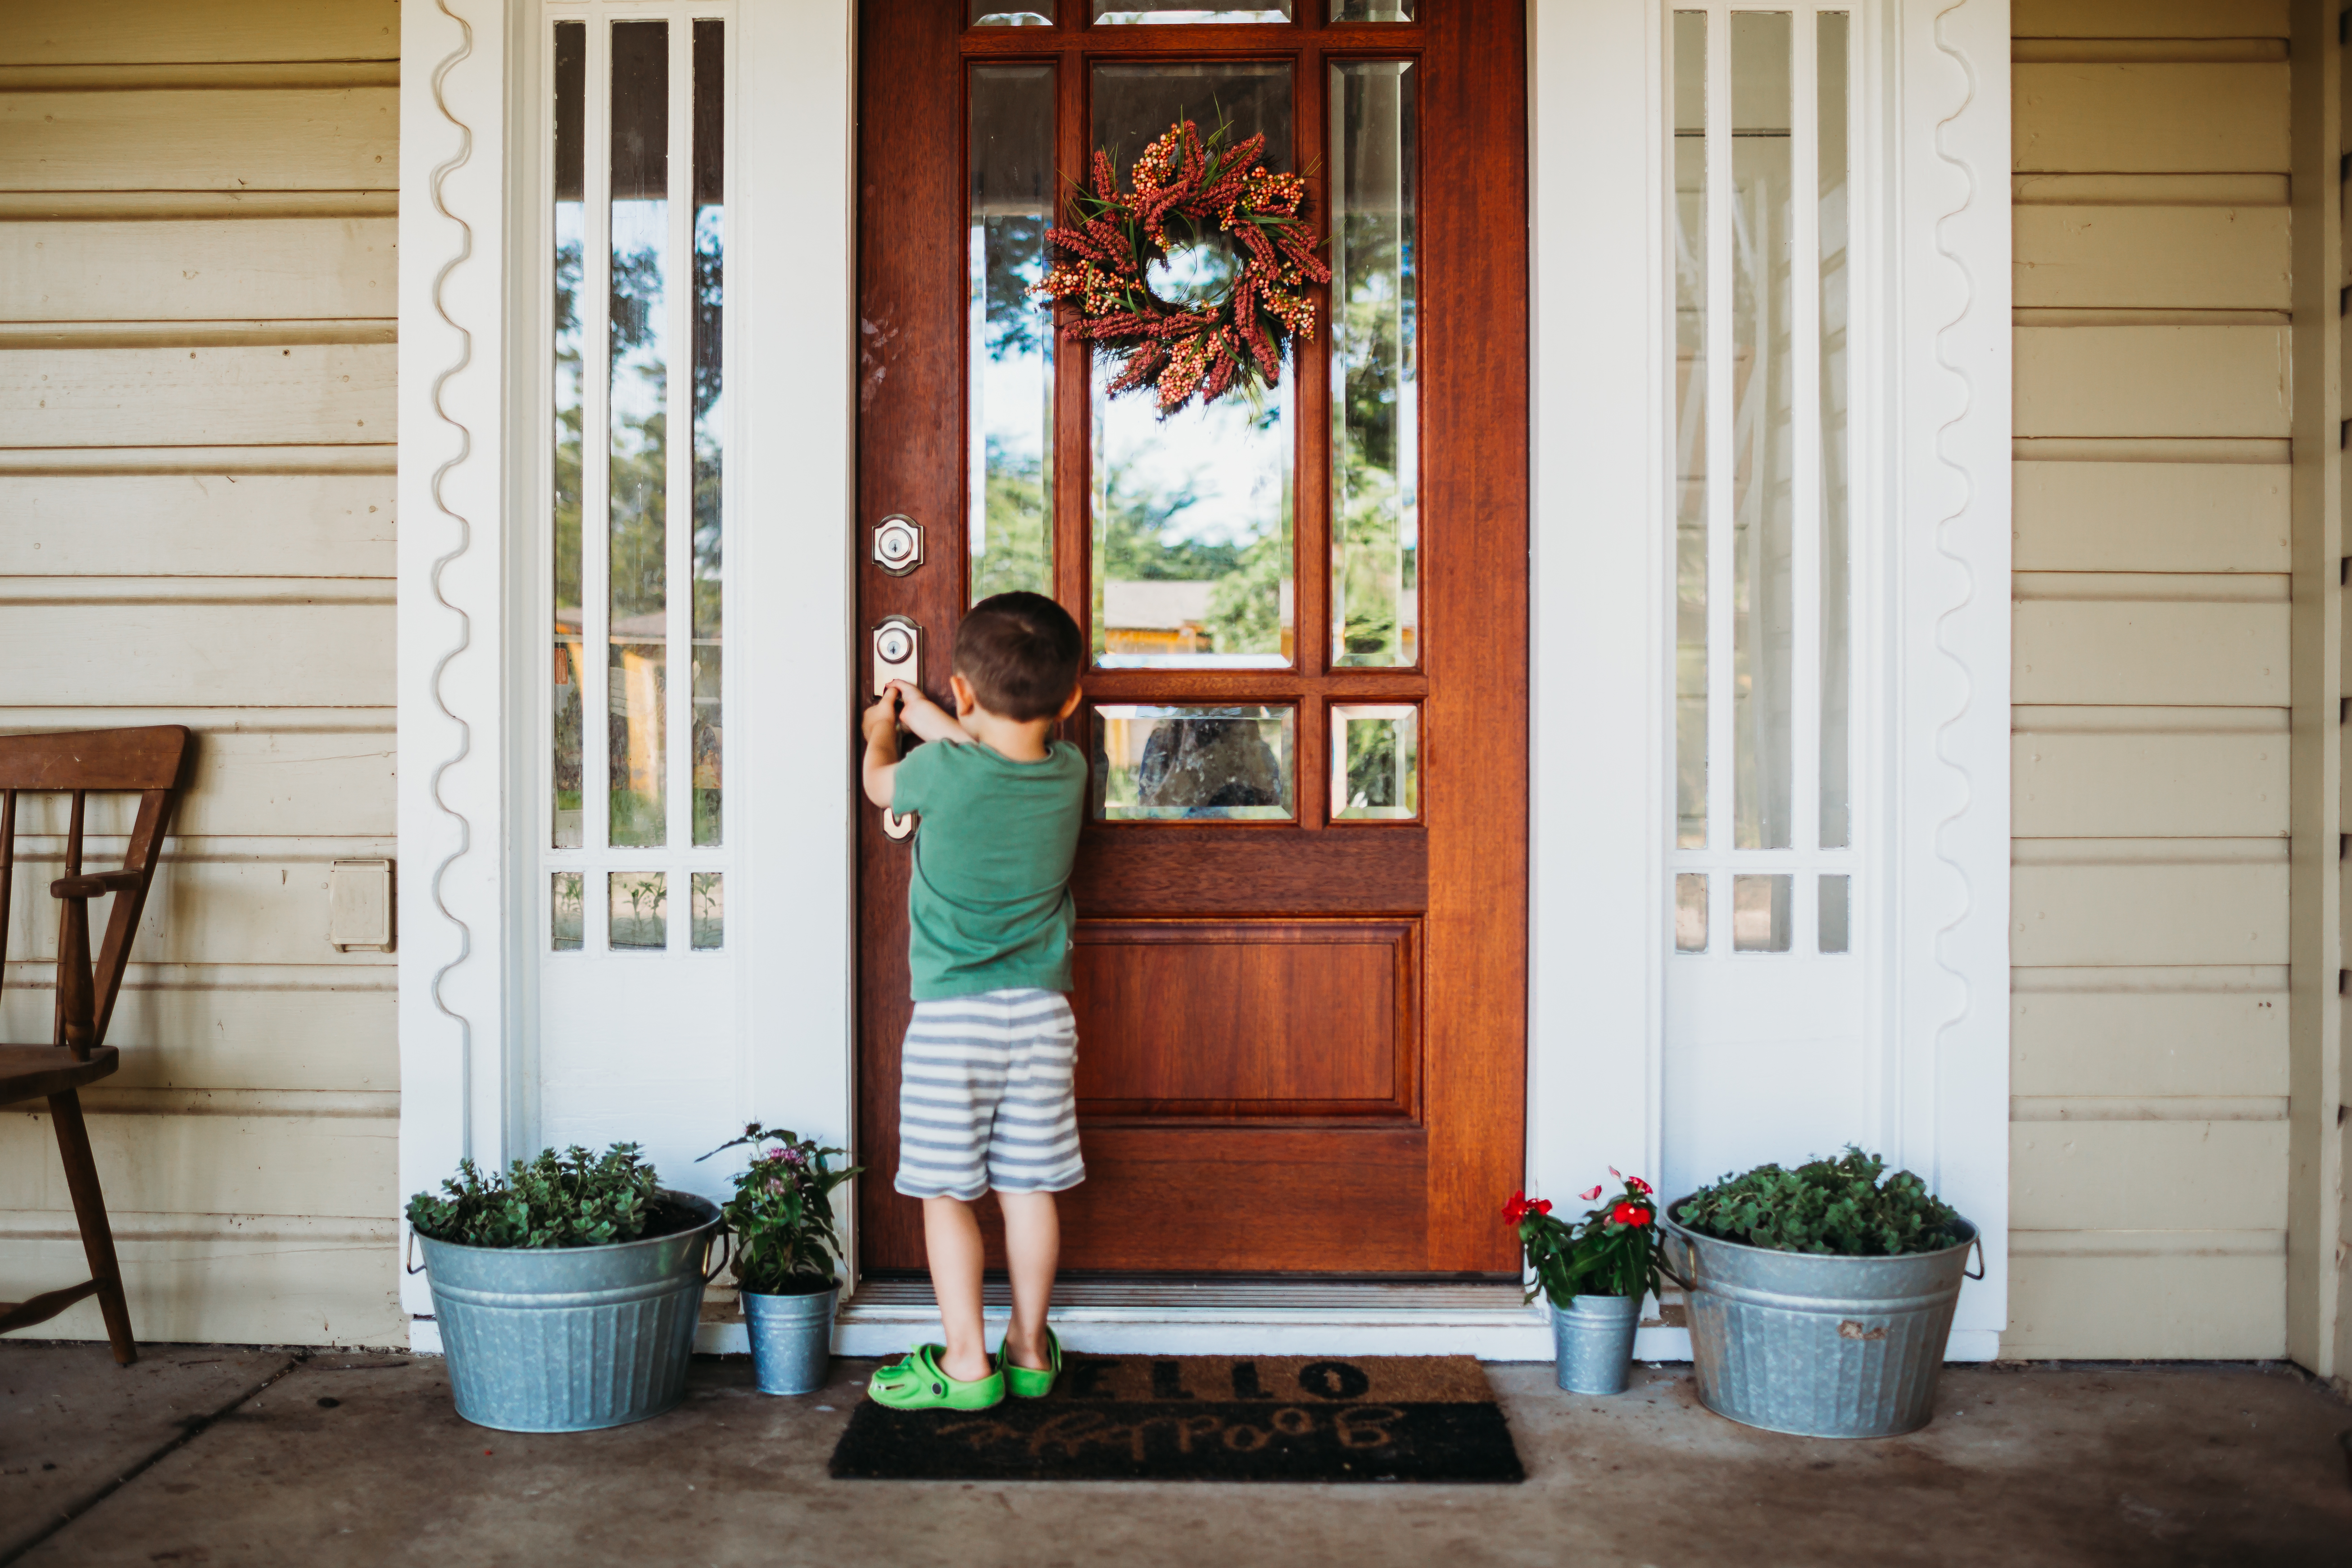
{"x":984,"y":1080}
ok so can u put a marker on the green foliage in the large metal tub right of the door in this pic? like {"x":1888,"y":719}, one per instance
{"x":1826,"y":1207}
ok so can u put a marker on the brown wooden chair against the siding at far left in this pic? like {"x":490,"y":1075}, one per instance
{"x":145,"y":760}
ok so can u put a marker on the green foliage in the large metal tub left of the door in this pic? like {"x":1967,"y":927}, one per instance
{"x":556,"y":1200}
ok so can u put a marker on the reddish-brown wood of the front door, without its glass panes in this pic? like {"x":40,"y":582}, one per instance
{"x":1302,"y":1043}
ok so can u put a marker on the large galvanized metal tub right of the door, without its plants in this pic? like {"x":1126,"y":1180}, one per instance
{"x":1812,"y":1343}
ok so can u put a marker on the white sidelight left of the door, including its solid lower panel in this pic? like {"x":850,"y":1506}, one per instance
{"x":634,"y":843}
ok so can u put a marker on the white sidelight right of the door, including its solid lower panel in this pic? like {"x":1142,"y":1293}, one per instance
{"x":1772,"y":815}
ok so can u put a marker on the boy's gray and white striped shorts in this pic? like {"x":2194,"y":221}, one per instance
{"x":987,"y":1097}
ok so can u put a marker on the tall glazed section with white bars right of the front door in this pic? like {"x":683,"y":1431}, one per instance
{"x":1763,"y":850}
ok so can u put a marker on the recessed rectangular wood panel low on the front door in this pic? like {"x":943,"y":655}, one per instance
{"x":1227,"y":1019}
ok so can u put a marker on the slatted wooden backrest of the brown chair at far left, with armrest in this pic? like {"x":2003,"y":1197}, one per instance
{"x":93,"y":760}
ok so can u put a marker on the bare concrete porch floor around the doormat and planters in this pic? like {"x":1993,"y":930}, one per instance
{"x":255,"y":1459}
